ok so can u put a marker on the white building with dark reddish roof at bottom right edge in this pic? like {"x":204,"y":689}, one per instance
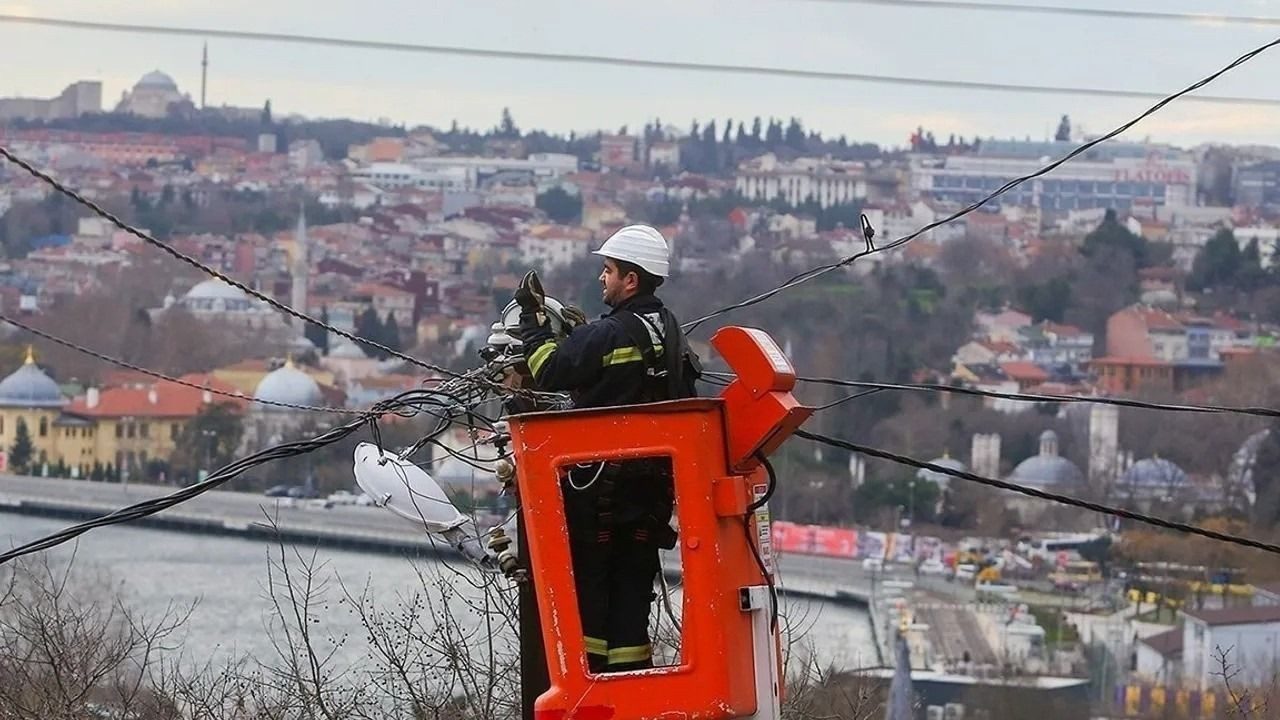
{"x":1247,"y":637}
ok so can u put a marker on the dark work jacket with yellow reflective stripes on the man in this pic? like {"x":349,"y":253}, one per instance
{"x":600,"y":363}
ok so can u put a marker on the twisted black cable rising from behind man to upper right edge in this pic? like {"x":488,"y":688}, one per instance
{"x":872,"y":249}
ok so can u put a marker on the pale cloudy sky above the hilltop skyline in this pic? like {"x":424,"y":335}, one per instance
{"x":422,"y":89}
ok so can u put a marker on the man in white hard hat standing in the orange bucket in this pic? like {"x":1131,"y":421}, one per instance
{"x":619,"y":513}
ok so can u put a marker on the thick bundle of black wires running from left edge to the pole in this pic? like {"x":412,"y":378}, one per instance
{"x":463,"y":395}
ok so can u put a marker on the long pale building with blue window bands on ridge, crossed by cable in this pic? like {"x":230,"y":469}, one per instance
{"x":1117,"y":175}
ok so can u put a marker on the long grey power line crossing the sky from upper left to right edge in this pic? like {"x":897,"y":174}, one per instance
{"x":615,"y":61}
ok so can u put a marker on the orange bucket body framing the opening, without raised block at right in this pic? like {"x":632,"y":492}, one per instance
{"x":715,"y":676}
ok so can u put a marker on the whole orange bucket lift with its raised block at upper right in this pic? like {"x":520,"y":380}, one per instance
{"x":730,"y":659}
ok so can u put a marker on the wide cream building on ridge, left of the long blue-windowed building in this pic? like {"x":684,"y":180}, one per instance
{"x":821,"y":180}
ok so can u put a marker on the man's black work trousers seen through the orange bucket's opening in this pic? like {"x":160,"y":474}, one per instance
{"x":616,"y":527}
